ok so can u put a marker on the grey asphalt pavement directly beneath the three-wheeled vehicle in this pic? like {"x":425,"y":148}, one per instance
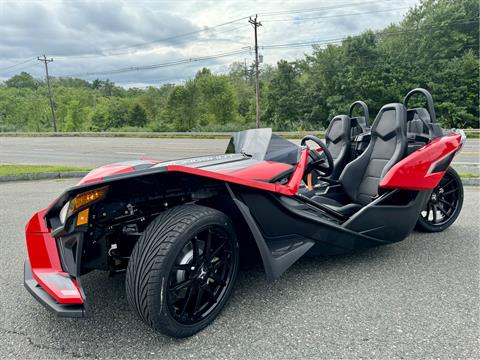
{"x":415,"y":299}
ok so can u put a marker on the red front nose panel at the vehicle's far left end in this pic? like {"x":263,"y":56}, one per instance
{"x":45,"y":263}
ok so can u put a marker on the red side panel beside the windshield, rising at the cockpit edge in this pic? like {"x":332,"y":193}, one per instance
{"x":251,"y":174}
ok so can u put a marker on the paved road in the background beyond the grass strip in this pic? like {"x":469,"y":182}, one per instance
{"x":96,"y":151}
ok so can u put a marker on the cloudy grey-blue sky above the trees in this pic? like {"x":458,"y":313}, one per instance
{"x":85,"y":37}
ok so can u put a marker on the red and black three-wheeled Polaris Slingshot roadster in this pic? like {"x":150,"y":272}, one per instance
{"x":180,"y":228}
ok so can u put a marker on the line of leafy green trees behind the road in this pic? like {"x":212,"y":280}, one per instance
{"x":435,"y":46}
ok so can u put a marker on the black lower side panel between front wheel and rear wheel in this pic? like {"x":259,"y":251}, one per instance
{"x":286,"y":228}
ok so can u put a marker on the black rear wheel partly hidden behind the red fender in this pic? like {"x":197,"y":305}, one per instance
{"x":444,"y":204}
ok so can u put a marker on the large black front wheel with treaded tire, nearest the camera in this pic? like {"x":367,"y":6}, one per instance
{"x":153,"y":285}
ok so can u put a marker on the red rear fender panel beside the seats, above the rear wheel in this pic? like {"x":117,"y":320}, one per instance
{"x":415,"y":171}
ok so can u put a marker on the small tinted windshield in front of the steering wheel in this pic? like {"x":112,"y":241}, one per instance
{"x":262,"y":144}
